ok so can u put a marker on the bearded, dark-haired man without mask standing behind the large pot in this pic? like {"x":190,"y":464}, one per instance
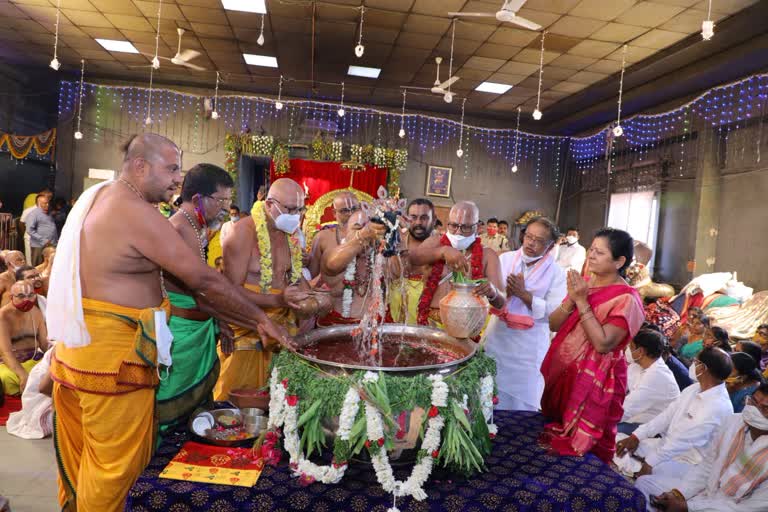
{"x":420,"y":215}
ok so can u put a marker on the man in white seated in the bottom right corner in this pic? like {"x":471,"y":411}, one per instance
{"x":733,"y":477}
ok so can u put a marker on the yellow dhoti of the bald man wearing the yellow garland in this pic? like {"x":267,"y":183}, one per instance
{"x":248,"y":365}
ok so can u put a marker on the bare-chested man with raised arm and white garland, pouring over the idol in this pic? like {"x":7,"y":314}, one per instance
{"x":347,"y":267}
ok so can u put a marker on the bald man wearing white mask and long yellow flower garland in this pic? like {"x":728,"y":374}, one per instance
{"x":263,"y":255}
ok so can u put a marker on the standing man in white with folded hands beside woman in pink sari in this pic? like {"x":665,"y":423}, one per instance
{"x":518,"y":334}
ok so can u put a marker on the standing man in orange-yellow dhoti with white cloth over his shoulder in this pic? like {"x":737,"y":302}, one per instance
{"x":107,"y":312}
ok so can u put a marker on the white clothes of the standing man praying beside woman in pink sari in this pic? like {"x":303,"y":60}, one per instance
{"x":520,"y":352}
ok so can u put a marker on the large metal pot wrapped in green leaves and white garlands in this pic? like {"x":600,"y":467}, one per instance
{"x":430,"y":402}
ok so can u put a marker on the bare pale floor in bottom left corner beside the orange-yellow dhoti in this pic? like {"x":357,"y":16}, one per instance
{"x":28,"y":473}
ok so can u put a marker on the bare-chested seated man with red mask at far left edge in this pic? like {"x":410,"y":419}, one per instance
{"x":23,"y":337}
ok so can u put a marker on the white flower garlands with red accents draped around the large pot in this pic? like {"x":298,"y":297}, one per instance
{"x":284,"y":413}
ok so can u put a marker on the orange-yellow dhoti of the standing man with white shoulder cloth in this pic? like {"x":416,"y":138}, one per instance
{"x":104,"y":400}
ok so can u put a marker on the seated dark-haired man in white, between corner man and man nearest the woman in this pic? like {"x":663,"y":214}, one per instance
{"x":686,"y":426}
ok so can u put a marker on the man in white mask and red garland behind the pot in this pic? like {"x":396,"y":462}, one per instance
{"x":459,"y":250}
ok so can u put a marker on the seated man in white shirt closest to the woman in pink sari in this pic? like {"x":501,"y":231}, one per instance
{"x":651,"y":385}
